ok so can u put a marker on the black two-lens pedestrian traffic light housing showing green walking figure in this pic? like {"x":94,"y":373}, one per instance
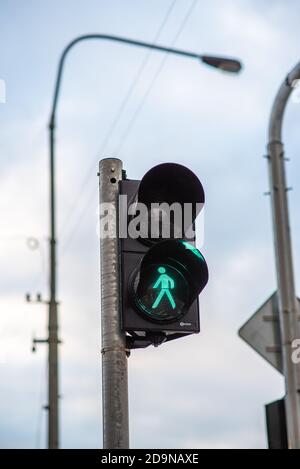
{"x":162,"y":272}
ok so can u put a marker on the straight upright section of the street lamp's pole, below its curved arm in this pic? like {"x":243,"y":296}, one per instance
{"x":53,"y":437}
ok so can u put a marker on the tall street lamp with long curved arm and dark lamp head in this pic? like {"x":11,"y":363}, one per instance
{"x":225,"y":64}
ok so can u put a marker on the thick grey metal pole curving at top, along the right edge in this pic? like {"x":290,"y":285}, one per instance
{"x":288,"y":305}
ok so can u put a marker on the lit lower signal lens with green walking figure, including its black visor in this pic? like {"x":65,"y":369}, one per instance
{"x":164,"y":286}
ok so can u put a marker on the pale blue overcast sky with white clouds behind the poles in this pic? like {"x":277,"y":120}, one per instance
{"x":206,"y":391}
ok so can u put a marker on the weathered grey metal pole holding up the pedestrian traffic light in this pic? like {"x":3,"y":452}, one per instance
{"x":114,"y":357}
